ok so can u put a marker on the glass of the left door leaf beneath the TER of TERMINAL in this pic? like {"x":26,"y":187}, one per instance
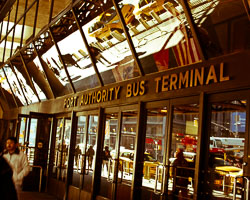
{"x":154,"y":147}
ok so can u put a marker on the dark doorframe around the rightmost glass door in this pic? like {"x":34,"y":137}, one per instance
{"x":208,"y":100}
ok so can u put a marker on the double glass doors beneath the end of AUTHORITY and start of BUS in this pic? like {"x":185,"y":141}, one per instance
{"x":118,"y":153}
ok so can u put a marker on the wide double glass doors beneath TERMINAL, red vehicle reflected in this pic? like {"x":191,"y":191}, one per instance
{"x":171,"y":138}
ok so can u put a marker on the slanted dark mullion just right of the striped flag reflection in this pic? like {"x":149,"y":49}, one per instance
{"x":193,"y":28}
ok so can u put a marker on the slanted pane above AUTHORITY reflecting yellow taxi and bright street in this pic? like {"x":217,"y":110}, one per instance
{"x":109,"y":47}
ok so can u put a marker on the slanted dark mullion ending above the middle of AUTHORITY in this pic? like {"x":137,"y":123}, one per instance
{"x":88,"y":49}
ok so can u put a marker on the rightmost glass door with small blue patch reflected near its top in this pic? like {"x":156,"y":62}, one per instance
{"x":228,"y":146}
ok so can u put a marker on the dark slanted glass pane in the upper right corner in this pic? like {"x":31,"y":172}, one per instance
{"x":223,"y":26}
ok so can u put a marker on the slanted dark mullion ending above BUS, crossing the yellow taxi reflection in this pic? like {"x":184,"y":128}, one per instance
{"x":128,"y":37}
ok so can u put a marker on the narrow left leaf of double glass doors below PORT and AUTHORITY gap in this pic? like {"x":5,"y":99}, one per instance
{"x":79,"y":151}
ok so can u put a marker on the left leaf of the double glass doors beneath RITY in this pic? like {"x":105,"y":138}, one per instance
{"x":109,"y":153}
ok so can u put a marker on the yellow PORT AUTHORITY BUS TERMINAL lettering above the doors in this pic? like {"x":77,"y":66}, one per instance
{"x":163,"y":83}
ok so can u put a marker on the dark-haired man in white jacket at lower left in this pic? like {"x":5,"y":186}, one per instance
{"x":18,"y":162}
